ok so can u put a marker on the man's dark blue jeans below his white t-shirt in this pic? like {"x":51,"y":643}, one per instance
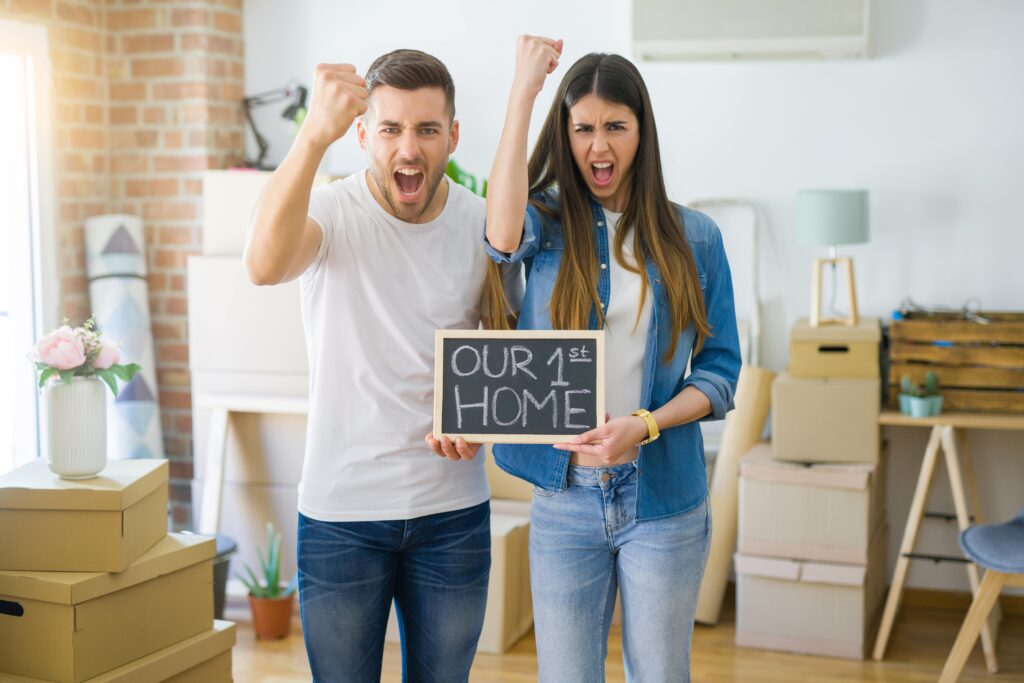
{"x":435,"y":568}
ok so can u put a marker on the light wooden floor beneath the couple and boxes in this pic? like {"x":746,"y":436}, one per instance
{"x":920,"y":644}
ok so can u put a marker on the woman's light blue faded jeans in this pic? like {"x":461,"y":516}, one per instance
{"x":585,"y":545}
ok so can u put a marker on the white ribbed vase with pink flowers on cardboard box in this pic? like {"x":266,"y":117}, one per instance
{"x":73,"y":365}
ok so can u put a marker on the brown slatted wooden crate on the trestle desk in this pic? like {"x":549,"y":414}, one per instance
{"x":980,"y":367}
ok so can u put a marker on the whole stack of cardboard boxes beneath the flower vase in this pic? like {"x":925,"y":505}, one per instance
{"x":94,"y":588}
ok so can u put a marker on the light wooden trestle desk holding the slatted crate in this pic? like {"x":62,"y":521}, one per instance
{"x":949,"y":436}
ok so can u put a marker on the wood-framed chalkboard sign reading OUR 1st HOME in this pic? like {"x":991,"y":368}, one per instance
{"x":519,"y":387}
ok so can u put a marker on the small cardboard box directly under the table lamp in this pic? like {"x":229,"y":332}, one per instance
{"x":835,"y":351}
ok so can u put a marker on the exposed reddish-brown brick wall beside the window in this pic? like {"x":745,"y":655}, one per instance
{"x":147,"y":97}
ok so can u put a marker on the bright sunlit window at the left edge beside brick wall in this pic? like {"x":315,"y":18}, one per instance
{"x":24,"y":69}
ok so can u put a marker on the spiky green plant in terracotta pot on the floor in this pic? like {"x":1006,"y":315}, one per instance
{"x":271,"y":603}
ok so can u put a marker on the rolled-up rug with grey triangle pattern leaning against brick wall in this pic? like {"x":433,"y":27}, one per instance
{"x":115,"y":251}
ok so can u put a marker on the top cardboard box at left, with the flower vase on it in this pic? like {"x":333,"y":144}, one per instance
{"x":99,"y":525}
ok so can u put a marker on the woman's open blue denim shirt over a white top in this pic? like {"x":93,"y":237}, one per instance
{"x":672,"y":472}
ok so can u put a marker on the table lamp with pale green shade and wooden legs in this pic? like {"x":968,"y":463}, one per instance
{"x":832,"y":218}
